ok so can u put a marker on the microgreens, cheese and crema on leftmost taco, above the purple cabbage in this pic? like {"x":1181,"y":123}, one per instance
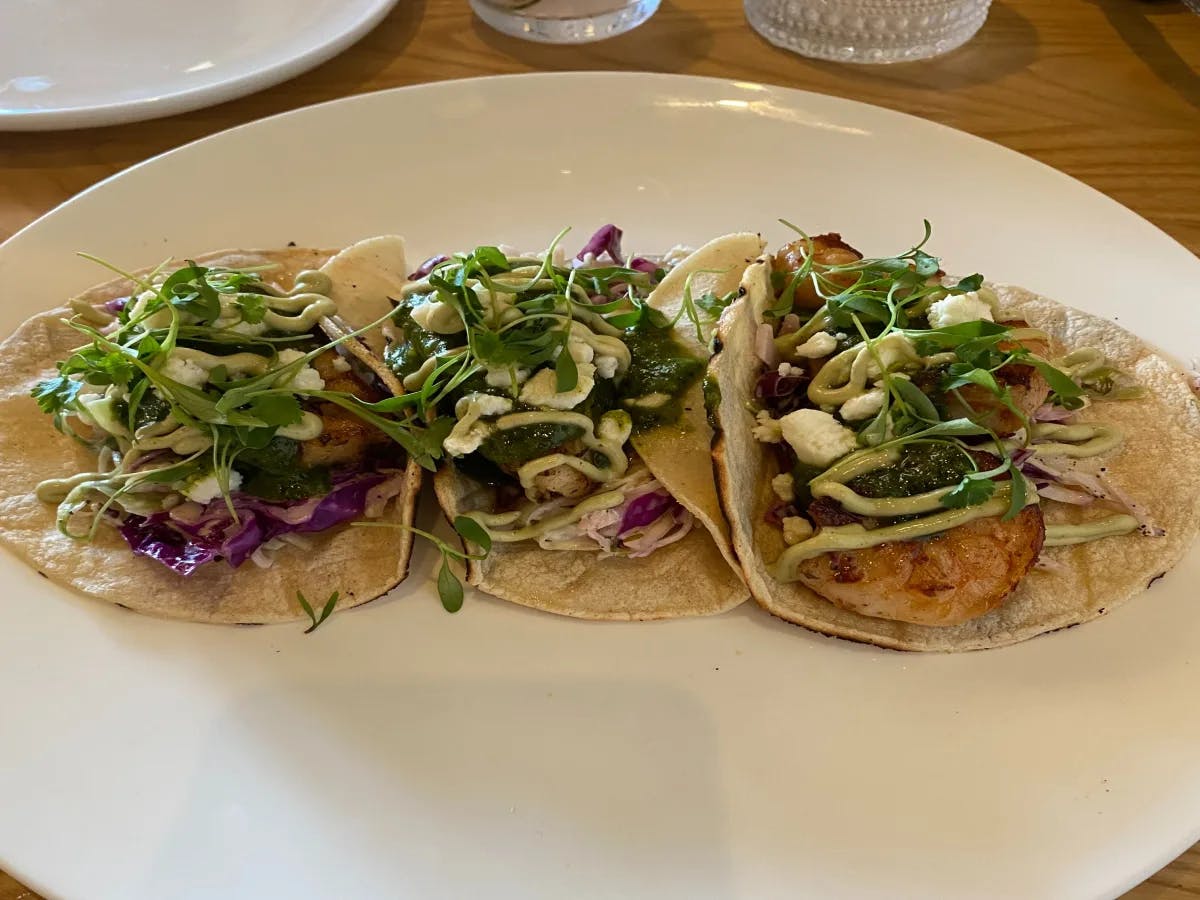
{"x":243,"y":343}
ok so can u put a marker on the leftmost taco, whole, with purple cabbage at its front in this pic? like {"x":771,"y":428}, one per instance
{"x":215,"y":443}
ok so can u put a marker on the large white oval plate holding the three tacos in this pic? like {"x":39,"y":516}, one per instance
{"x":401,"y":752}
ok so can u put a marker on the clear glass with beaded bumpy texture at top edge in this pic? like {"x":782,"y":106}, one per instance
{"x":868,"y":31}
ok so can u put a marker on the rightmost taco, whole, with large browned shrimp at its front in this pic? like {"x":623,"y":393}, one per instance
{"x":937,"y":464}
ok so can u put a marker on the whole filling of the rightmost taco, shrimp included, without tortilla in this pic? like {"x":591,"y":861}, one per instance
{"x":927,"y":446}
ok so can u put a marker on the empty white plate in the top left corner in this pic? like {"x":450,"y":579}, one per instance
{"x":74,"y":64}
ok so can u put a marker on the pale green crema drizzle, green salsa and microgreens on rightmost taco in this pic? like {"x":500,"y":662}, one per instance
{"x":884,"y":344}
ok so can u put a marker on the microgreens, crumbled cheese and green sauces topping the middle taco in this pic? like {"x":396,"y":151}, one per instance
{"x":529,"y":367}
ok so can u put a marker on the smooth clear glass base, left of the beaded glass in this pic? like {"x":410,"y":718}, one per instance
{"x":565,"y":21}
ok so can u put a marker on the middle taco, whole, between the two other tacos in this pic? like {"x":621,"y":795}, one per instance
{"x":571,"y":400}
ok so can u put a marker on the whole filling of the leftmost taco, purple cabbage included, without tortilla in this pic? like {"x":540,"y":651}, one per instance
{"x":224,"y":424}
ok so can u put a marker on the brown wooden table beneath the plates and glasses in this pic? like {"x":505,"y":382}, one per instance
{"x":1106,"y":91}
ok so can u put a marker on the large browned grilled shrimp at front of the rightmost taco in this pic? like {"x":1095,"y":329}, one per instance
{"x":946,"y":580}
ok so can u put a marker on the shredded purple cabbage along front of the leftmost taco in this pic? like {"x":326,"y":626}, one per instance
{"x":184,"y":545}
